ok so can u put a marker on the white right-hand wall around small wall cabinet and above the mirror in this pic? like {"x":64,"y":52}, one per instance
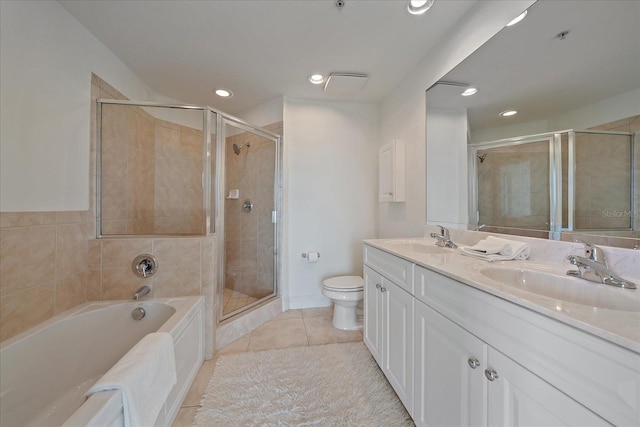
{"x":403,"y":112}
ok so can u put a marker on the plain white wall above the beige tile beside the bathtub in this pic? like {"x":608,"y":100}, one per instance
{"x":46,"y":60}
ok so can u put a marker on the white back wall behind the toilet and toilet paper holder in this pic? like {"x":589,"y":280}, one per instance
{"x":330,"y":157}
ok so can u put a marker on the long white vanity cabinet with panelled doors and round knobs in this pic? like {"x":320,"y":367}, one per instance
{"x":481,"y":360}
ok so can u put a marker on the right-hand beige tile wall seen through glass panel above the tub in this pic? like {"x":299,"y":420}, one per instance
{"x":178,"y":205}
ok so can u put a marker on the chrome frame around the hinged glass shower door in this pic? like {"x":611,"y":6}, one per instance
{"x":222,"y":121}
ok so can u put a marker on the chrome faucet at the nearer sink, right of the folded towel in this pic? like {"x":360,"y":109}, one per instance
{"x":593,"y":266}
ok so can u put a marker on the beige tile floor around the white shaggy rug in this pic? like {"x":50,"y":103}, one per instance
{"x":290,"y":329}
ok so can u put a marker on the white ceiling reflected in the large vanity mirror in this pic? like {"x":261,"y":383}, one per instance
{"x":529,"y":68}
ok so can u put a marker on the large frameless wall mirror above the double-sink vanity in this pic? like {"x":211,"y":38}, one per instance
{"x":571,"y":70}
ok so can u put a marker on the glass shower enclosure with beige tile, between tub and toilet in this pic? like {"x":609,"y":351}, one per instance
{"x":181,"y":170}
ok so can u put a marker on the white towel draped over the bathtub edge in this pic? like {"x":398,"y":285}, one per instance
{"x":145,"y":376}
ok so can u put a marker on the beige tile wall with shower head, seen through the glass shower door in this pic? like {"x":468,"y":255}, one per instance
{"x":249,"y":237}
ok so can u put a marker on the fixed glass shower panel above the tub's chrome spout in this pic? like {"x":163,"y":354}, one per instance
{"x":152,"y":169}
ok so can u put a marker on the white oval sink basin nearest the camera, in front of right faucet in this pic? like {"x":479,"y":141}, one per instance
{"x":565,"y":288}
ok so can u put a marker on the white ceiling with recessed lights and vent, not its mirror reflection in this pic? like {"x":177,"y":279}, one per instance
{"x":264,"y":49}
